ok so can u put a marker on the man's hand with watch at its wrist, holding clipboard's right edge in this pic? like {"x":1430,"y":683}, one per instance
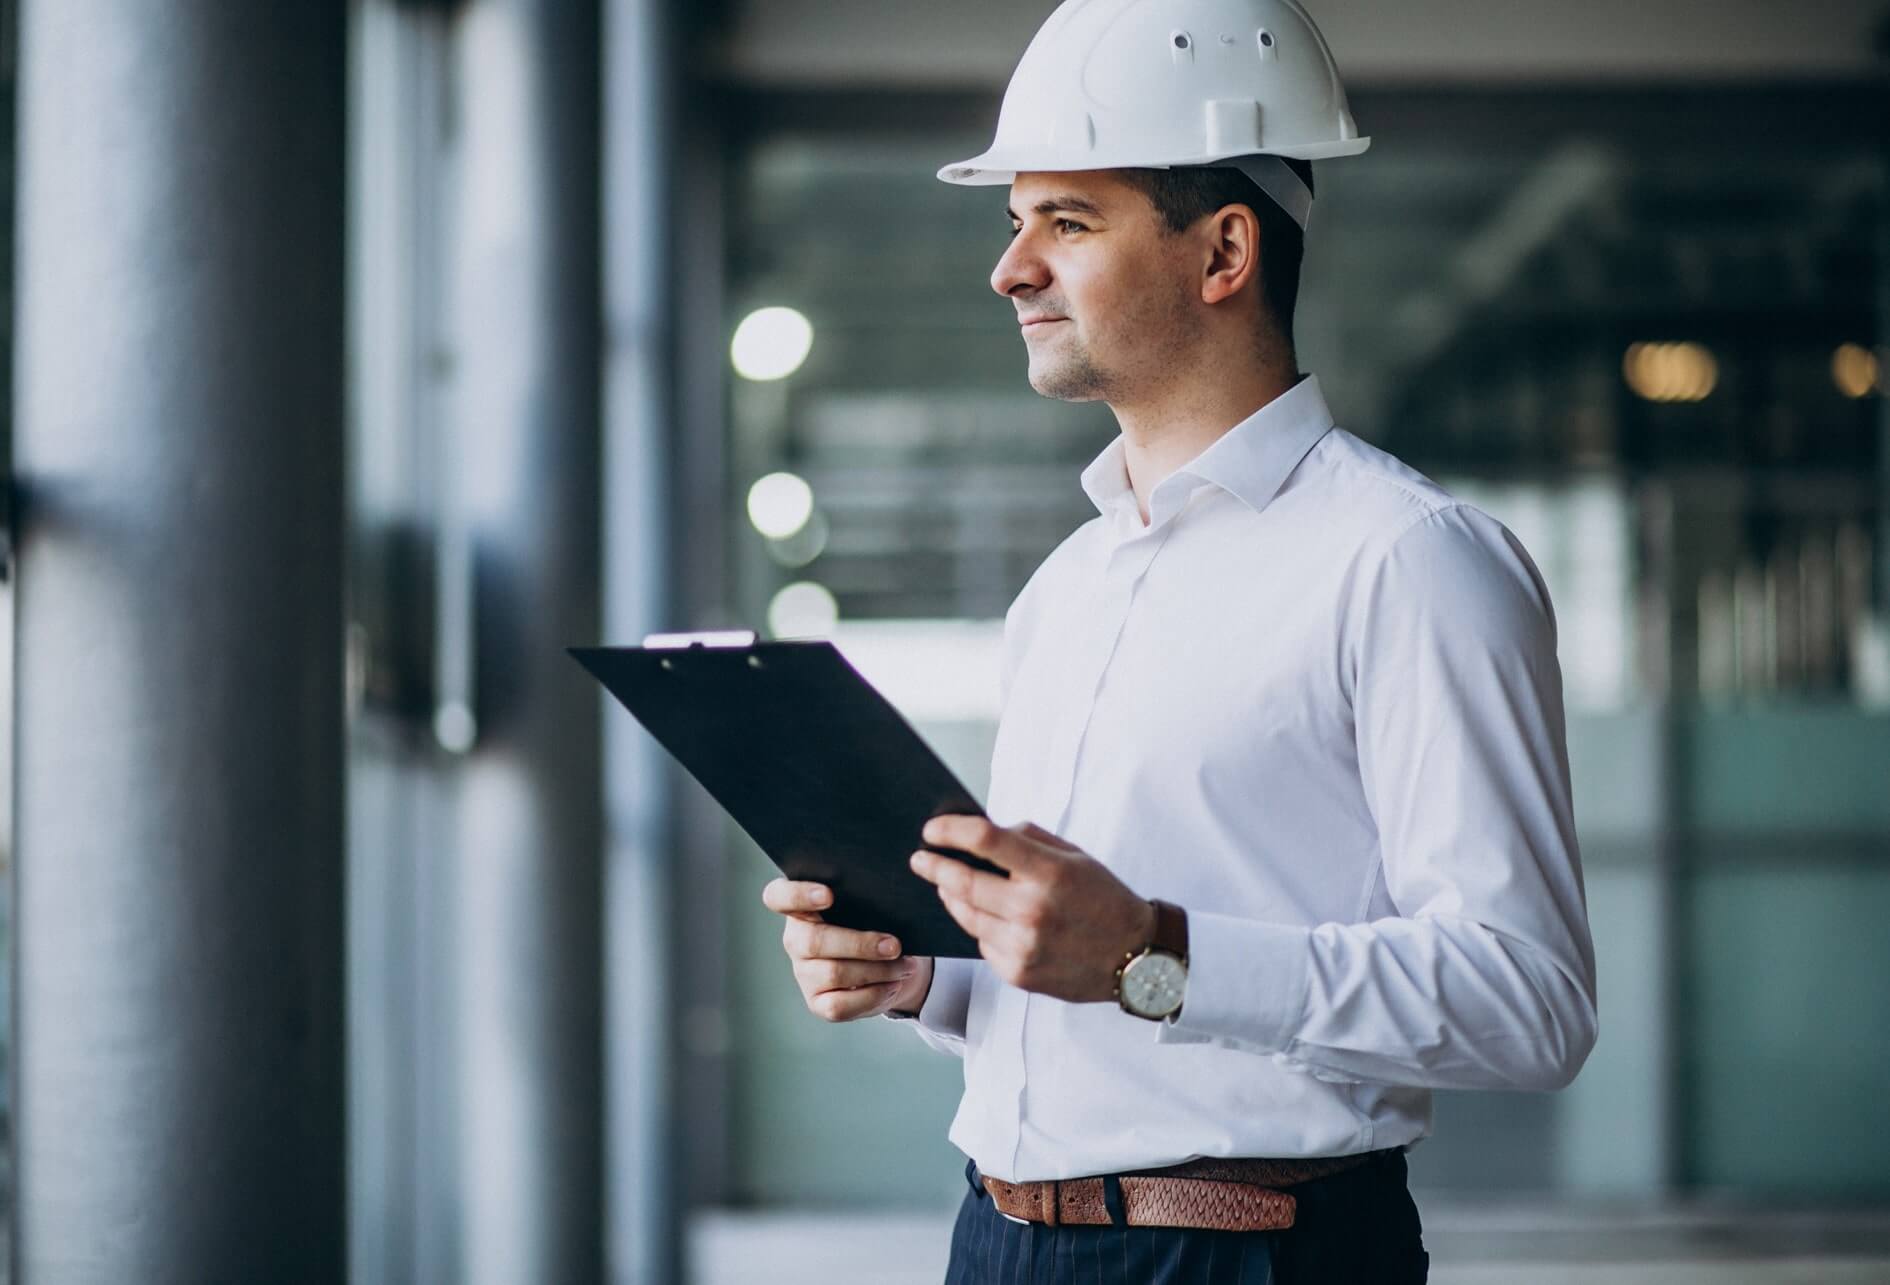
{"x":1061,"y":925}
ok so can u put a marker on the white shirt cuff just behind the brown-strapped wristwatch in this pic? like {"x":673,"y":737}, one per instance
{"x":1246,"y":984}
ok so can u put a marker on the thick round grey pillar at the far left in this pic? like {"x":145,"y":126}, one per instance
{"x":179,"y":730}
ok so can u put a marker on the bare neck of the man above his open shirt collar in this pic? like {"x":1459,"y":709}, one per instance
{"x":1186,"y":417}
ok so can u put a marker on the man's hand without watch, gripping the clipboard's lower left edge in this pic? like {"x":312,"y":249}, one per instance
{"x":844,"y":974}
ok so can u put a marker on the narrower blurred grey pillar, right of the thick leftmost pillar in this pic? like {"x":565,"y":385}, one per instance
{"x":524,"y":439}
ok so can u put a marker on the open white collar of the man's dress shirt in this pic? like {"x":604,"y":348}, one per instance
{"x":1250,"y":462}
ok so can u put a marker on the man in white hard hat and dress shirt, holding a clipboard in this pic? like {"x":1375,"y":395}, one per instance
{"x":1280,"y":778}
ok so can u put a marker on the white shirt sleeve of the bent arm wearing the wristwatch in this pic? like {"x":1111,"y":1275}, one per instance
{"x":1486,"y":974}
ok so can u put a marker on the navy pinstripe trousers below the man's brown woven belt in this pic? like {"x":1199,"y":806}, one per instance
{"x":1352,"y":1229}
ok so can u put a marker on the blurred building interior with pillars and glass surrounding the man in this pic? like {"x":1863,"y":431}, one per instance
{"x":368,"y":356}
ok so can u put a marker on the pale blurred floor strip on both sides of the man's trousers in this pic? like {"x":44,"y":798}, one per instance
{"x":1469,"y":1246}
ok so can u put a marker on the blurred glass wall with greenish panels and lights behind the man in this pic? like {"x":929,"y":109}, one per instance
{"x":1643,"y":330}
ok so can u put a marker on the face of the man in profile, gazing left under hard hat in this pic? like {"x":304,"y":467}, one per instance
{"x":1103,"y":294}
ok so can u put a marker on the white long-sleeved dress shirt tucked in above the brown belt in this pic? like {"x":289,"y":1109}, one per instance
{"x":1316,"y":704}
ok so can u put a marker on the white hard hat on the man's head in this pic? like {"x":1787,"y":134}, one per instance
{"x":1161,"y":84}
